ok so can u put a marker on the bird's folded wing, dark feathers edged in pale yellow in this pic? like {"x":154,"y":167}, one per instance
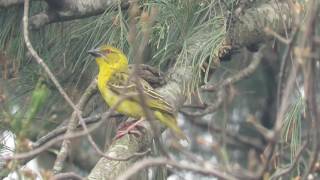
{"x":121,"y":84}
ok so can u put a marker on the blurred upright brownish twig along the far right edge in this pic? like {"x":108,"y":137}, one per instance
{"x":310,"y":82}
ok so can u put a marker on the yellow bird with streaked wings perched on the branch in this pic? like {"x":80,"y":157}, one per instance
{"x":114,"y":82}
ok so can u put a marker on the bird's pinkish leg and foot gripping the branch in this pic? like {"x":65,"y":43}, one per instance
{"x":132,"y":127}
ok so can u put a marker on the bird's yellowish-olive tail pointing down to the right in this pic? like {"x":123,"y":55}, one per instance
{"x":171,"y":122}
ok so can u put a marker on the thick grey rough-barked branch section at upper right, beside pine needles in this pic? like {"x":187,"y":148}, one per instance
{"x":249,"y":28}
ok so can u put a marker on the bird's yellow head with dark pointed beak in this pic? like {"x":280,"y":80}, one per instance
{"x":107,"y":55}
